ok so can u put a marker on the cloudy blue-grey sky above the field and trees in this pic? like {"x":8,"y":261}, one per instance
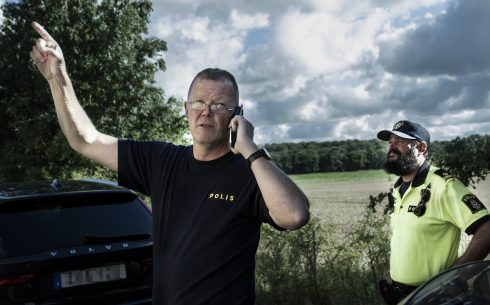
{"x":317,"y":70}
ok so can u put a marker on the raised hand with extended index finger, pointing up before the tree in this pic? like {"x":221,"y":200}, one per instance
{"x":47,"y":54}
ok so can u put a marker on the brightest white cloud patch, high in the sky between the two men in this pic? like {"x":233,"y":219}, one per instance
{"x":322,"y":42}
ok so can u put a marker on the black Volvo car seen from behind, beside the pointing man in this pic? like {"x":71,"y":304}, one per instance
{"x":74,"y":242}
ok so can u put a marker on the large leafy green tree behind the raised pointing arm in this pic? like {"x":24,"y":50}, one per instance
{"x":112,"y":62}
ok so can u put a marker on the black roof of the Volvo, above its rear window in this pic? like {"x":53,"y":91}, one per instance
{"x":42,"y":189}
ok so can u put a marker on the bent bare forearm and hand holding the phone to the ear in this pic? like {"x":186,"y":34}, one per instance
{"x":287,"y":204}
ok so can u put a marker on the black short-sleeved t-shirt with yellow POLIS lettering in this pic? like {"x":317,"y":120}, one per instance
{"x":206,"y":222}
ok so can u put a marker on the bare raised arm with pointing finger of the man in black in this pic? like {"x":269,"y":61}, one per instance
{"x":75,"y":124}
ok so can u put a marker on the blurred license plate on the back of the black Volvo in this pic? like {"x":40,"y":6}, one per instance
{"x":89,"y":276}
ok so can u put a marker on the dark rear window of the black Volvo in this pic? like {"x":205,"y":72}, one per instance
{"x":28,"y":227}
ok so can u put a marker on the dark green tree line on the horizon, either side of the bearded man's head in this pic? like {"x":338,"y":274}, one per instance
{"x":467,"y":157}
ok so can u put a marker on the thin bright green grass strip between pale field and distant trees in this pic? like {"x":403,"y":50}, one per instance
{"x":363,"y":175}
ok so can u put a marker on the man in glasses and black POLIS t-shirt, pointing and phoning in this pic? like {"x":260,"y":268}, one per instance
{"x":208,"y":199}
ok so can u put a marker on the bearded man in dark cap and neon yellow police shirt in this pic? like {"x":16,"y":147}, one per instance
{"x":429,"y":210}
